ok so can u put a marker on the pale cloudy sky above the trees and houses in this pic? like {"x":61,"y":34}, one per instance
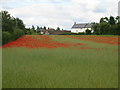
{"x":59,"y":13}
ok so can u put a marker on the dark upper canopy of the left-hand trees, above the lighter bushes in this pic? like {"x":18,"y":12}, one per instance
{"x":9,"y":22}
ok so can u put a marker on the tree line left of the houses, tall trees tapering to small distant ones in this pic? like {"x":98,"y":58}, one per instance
{"x":13,"y":28}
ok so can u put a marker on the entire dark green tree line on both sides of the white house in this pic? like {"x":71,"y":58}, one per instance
{"x":13,"y":28}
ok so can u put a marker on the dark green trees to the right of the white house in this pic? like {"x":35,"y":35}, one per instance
{"x":107,"y":26}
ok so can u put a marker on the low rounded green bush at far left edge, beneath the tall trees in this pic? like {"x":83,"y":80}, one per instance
{"x":6,"y":37}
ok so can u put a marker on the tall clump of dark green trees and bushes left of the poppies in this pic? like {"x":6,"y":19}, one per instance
{"x":12,"y":28}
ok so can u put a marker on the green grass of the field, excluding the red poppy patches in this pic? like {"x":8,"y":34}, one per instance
{"x":61,"y":67}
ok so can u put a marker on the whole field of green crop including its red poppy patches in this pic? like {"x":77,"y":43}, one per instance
{"x":61,"y":61}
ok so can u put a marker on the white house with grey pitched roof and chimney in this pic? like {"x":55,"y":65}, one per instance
{"x":81,"y":28}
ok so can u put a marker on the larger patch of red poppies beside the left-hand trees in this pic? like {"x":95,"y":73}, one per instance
{"x":38,"y":41}
